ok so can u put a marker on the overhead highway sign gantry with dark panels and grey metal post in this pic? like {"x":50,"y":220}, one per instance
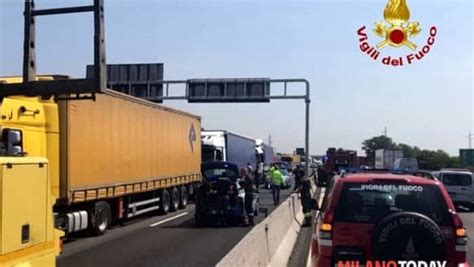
{"x":145,"y":81}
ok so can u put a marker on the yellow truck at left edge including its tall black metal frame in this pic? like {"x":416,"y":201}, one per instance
{"x":29,"y":145}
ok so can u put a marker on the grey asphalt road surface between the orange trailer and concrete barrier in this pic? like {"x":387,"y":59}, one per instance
{"x":170,"y":240}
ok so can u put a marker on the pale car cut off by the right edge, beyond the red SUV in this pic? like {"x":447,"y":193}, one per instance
{"x":459,"y":185}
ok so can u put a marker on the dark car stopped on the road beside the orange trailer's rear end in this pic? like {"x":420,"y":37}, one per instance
{"x":220,"y":198}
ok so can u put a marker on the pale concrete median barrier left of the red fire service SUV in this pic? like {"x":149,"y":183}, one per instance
{"x":270,"y":242}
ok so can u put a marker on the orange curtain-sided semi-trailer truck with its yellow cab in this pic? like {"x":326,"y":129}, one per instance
{"x":109,"y":159}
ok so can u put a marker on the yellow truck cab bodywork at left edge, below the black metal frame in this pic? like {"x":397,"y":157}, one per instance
{"x":27,"y":233}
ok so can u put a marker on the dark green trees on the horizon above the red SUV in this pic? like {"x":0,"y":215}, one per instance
{"x":427,"y":159}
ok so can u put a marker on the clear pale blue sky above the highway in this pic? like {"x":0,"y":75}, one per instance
{"x":428,"y":103}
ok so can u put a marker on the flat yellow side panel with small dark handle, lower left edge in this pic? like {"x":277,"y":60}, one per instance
{"x":23,"y":205}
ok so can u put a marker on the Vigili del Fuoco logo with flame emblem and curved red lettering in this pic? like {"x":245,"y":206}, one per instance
{"x":397,"y":31}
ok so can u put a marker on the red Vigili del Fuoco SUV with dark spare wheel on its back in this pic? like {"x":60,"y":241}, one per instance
{"x":384,"y":216}
